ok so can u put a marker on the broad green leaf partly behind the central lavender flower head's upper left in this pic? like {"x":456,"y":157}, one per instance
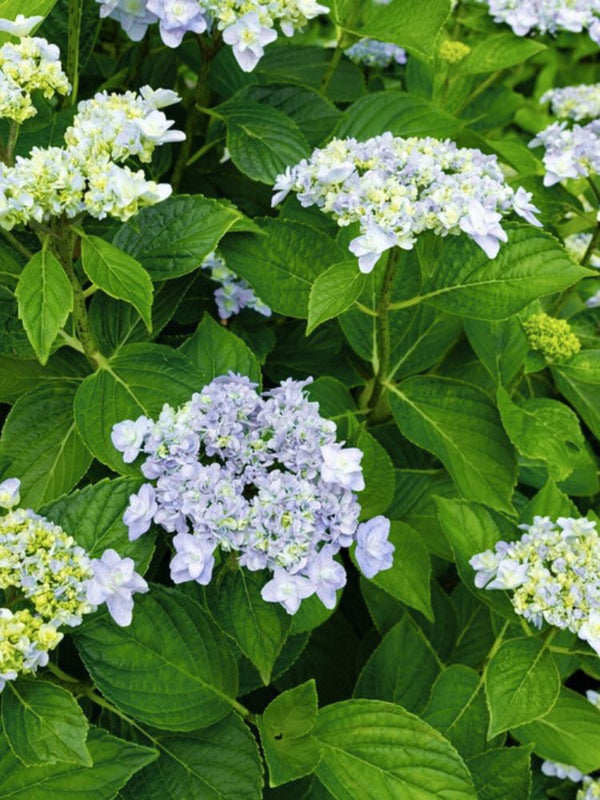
{"x":137,"y":381}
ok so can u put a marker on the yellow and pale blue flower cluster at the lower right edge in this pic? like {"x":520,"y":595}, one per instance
{"x":552,"y":571}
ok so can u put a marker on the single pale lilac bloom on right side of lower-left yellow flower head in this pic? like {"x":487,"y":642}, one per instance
{"x":114,"y":583}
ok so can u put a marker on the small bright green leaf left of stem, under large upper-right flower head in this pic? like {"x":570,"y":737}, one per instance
{"x":333,"y":292}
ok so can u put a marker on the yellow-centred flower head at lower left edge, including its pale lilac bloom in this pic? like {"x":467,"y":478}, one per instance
{"x":52,"y":583}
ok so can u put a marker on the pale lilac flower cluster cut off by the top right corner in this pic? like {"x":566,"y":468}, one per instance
{"x":548,"y":16}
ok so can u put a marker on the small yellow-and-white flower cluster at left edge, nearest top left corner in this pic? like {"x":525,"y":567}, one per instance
{"x":31,"y":65}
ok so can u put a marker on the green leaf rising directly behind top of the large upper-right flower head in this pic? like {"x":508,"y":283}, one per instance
{"x":400,"y":113}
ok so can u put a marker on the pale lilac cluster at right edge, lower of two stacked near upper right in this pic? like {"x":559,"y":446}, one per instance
{"x":569,"y":152}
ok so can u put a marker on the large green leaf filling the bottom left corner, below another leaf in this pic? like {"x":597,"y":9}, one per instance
{"x":114,"y":762}
